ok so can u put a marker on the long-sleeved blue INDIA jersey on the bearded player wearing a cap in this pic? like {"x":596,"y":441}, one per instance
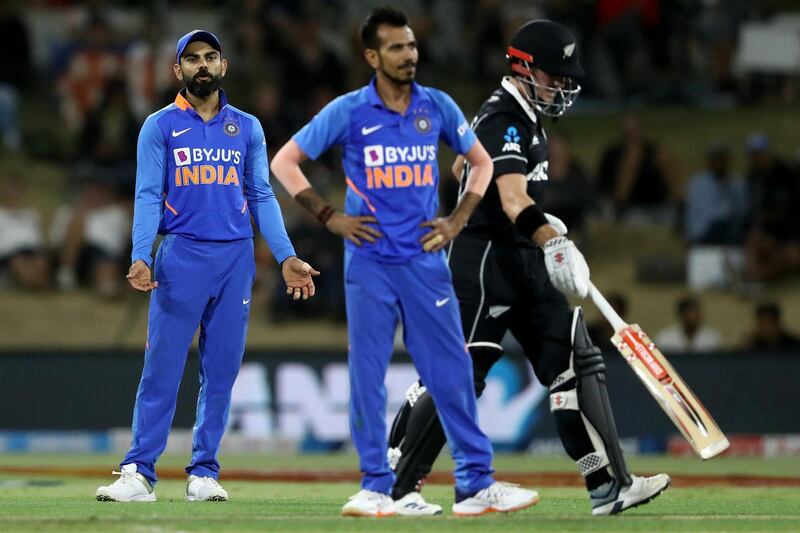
{"x":202,"y":180}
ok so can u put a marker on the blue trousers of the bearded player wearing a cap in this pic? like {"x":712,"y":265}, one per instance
{"x":199,"y":283}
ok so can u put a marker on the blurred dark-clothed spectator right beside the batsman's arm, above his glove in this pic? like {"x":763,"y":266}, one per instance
{"x":570,"y":193}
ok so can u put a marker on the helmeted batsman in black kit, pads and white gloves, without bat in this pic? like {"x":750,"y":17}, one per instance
{"x":511,"y":267}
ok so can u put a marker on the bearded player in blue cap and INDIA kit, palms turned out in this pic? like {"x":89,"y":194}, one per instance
{"x":202,"y":170}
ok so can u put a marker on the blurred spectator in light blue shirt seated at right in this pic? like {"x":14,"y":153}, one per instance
{"x":716,"y":202}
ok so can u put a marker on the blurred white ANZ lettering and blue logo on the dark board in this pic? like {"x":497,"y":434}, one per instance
{"x":307,"y":403}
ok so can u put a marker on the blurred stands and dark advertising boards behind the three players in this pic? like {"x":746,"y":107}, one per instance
{"x":680,"y":95}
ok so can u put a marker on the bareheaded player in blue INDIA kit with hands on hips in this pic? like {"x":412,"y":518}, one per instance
{"x":395,"y":268}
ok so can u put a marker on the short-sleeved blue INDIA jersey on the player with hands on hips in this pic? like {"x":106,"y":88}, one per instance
{"x":390,"y":160}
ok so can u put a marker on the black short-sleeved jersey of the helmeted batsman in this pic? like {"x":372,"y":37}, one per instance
{"x":512,"y":133}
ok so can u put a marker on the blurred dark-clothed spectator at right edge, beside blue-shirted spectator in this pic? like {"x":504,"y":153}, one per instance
{"x":773,"y":244}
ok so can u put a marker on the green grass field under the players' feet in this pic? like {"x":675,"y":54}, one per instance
{"x":62,"y":502}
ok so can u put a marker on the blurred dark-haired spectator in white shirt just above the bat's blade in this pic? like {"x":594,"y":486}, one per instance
{"x":689,"y":334}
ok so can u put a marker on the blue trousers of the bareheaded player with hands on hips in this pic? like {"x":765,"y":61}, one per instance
{"x":422,"y":290}
